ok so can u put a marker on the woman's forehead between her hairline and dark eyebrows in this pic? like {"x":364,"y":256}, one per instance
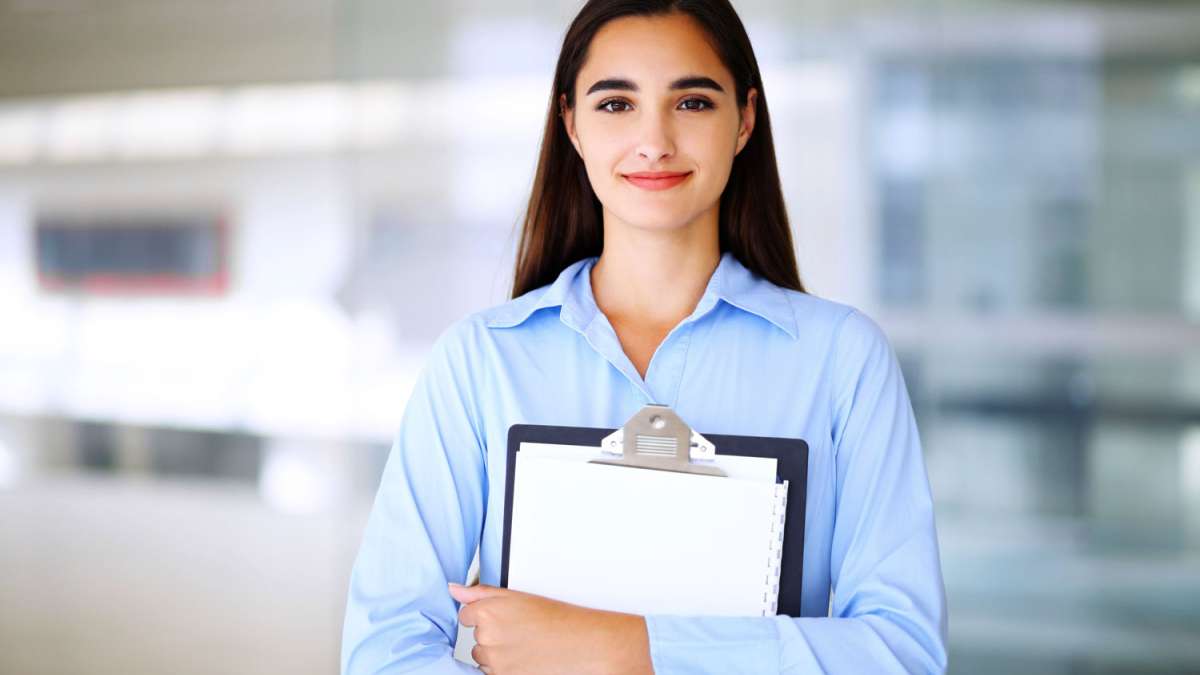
{"x":652,"y":51}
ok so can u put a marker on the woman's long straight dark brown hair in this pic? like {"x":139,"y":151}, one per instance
{"x":563,"y":222}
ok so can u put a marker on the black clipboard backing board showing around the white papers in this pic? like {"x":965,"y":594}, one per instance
{"x":793,"y":457}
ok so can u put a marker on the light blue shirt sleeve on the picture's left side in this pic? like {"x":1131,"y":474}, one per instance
{"x":423,"y":530}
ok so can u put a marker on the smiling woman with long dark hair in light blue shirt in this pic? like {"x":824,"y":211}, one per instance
{"x":656,"y":266}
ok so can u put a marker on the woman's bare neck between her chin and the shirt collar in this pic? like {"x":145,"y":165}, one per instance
{"x":656,"y":277}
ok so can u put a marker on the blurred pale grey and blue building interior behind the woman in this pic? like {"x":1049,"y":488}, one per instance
{"x":231,"y":231}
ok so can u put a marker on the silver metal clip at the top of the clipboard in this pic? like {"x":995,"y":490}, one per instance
{"x":657,"y":438}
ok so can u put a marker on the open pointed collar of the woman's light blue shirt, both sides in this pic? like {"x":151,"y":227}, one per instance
{"x":572,"y":291}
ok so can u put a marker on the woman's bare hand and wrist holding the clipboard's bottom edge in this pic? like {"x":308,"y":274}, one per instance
{"x":531,"y":635}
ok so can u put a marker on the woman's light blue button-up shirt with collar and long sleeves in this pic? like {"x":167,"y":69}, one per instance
{"x":752,"y":360}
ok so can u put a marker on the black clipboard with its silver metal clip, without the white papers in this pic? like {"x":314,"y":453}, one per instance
{"x":657,"y":440}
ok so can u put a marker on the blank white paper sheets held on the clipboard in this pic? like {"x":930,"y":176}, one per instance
{"x":641,"y":541}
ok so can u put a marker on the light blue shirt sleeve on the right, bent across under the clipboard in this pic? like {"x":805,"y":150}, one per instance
{"x":889,"y":610}
